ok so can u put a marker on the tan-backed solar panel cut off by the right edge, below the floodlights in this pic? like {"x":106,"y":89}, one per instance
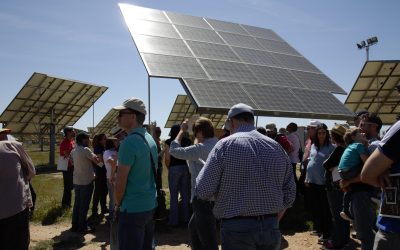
{"x":375,"y":90}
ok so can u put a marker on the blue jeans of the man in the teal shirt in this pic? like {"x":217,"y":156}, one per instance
{"x":136,"y":231}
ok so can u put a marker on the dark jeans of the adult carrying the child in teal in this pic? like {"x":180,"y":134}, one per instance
{"x":363,"y":211}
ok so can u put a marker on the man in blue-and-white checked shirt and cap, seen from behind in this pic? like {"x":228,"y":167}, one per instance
{"x":251,"y":178}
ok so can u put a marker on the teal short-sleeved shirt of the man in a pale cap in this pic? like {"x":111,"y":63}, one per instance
{"x":140,"y":192}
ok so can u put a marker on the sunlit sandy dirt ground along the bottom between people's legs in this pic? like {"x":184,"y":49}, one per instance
{"x":58,"y":236}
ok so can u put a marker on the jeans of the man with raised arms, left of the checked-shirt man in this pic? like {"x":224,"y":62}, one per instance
{"x":202,"y":226}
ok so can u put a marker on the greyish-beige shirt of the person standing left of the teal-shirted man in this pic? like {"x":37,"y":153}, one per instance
{"x":83,"y":169}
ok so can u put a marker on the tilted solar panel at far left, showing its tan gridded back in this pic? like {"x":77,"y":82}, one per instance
{"x":44,"y":97}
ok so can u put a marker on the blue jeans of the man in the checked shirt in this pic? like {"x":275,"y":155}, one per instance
{"x":250,"y":233}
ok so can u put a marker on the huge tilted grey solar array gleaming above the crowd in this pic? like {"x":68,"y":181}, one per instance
{"x":211,"y":51}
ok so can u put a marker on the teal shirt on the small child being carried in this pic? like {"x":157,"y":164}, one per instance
{"x":351,"y":157}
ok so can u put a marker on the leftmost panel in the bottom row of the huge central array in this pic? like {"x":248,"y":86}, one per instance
{"x":217,"y":93}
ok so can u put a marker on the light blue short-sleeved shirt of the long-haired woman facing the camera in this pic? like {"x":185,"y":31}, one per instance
{"x":315,"y":170}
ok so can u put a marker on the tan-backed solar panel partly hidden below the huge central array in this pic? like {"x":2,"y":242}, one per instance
{"x":184,"y":109}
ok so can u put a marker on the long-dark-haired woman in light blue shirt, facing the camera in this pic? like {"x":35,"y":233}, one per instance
{"x":315,"y":182}
